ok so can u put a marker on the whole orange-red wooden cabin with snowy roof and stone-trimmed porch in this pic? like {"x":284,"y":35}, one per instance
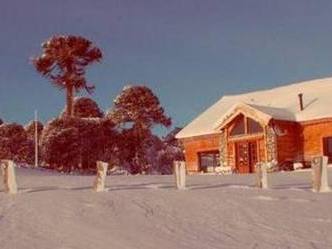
{"x":284,"y":125}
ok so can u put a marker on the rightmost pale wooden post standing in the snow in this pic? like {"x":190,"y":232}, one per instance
{"x":319,"y":174}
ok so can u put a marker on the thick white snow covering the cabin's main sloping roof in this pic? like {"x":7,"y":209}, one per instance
{"x":281,"y":103}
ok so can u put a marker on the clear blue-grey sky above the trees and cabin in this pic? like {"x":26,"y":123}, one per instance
{"x":189,"y":52}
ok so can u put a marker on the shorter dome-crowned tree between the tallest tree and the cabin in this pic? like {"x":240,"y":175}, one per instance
{"x":136,"y":110}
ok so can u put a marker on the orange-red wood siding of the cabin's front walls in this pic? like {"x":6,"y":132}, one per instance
{"x":297,"y":141}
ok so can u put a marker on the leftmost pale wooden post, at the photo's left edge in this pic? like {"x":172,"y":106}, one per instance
{"x":8,"y":174}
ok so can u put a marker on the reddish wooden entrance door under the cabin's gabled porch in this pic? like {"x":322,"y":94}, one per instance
{"x":246,"y":156}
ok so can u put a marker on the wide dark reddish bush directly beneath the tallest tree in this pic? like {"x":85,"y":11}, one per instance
{"x":77,"y":143}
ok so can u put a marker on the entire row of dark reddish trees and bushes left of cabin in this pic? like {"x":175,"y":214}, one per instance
{"x":82,"y":133}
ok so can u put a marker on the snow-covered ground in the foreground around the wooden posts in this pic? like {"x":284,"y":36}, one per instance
{"x":55,"y":211}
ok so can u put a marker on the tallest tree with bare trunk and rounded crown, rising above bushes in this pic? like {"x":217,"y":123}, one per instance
{"x":63,"y":61}
